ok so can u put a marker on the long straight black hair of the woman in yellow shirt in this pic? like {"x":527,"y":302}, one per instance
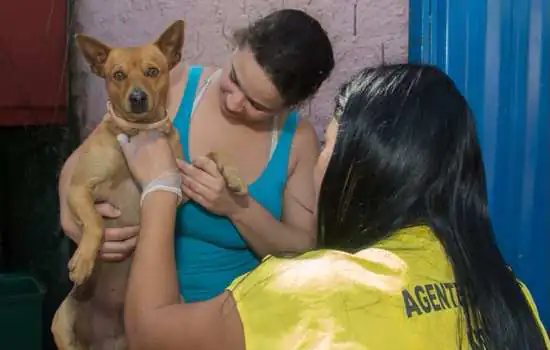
{"x":407,"y":154}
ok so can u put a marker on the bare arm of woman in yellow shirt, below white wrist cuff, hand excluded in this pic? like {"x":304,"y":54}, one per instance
{"x":154,"y":317}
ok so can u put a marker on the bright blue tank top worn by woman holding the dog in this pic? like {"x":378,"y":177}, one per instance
{"x":210,"y":252}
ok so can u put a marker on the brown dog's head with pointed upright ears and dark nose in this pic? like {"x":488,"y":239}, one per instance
{"x":137,"y":78}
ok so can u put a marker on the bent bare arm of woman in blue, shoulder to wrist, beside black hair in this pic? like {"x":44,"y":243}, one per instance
{"x":296,"y":232}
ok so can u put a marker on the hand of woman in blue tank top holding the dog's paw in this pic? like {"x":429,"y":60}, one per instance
{"x":203,"y":183}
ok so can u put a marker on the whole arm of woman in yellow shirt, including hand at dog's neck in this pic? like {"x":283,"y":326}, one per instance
{"x":154,"y":316}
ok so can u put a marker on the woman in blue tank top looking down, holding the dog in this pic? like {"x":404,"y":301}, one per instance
{"x":244,"y":109}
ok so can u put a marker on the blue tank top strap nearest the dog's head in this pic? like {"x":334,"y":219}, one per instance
{"x":183,"y":116}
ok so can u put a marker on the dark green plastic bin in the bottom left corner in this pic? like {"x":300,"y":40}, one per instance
{"x":20,"y":312}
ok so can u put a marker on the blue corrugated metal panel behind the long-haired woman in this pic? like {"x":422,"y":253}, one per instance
{"x":498,"y":53}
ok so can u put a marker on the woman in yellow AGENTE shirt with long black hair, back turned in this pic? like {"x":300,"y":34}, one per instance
{"x":409,"y":258}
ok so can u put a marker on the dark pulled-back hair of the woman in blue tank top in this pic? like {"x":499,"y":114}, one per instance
{"x":294,"y":51}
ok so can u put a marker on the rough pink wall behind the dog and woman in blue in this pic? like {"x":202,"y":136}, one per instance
{"x":358,"y":28}
